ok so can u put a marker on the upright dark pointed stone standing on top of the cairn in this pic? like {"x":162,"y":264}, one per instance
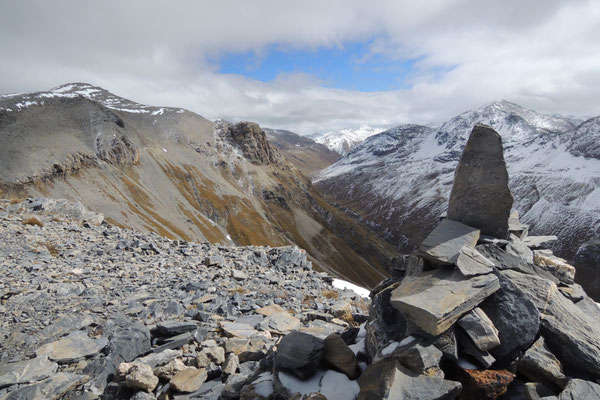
{"x":480,"y":195}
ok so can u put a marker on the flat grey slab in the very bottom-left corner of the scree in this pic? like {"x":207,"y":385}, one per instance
{"x":51,"y":388}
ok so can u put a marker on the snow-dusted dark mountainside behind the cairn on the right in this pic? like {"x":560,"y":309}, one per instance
{"x":399,"y":181}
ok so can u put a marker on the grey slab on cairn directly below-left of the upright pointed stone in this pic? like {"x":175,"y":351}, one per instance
{"x":447,"y":239}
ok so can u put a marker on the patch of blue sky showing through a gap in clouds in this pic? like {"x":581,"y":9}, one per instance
{"x":336,"y":67}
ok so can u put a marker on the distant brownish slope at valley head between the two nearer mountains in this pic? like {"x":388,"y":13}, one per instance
{"x":304,"y":153}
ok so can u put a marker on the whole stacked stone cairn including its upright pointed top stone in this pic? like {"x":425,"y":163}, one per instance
{"x":480,"y":311}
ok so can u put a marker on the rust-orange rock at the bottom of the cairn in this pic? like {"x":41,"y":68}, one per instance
{"x":485,"y":385}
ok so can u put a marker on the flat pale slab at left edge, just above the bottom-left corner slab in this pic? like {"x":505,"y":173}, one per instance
{"x":27,"y":371}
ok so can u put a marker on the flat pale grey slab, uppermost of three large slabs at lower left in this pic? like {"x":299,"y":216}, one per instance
{"x":74,"y":347}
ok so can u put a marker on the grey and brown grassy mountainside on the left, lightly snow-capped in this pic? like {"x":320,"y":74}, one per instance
{"x":172,"y":172}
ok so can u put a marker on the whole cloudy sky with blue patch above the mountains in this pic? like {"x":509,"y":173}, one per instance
{"x":312,"y":66}
